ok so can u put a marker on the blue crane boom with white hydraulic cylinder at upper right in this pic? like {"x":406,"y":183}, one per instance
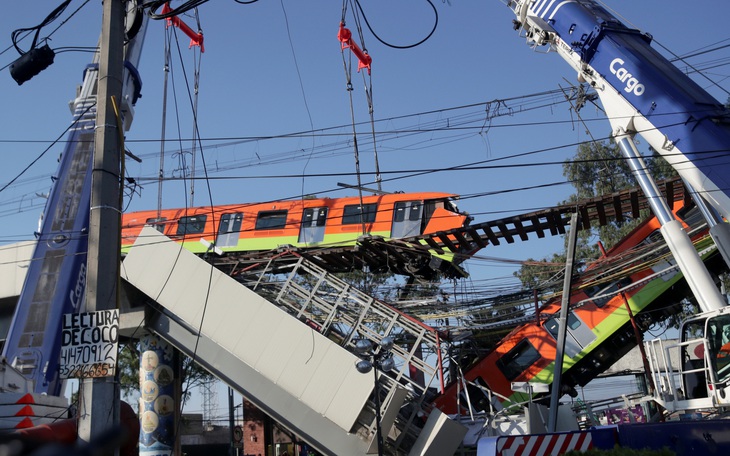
{"x":643,"y":93}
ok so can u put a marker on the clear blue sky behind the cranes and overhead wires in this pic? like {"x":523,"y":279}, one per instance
{"x":273,"y":68}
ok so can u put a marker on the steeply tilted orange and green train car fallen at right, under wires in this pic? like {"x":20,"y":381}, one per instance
{"x":599,"y":328}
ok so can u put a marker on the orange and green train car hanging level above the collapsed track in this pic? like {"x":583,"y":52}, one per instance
{"x":303,"y":223}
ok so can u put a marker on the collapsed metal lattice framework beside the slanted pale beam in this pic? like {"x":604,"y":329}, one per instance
{"x":346,"y":315}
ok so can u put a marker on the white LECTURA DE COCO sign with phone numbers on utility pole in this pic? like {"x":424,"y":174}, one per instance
{"x":89,"y":344}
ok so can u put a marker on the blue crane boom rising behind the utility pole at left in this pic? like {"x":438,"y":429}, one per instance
{"x":55,"y":283}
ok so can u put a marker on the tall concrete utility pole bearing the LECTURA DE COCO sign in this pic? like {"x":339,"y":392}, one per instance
{"x":99,"y":397}
